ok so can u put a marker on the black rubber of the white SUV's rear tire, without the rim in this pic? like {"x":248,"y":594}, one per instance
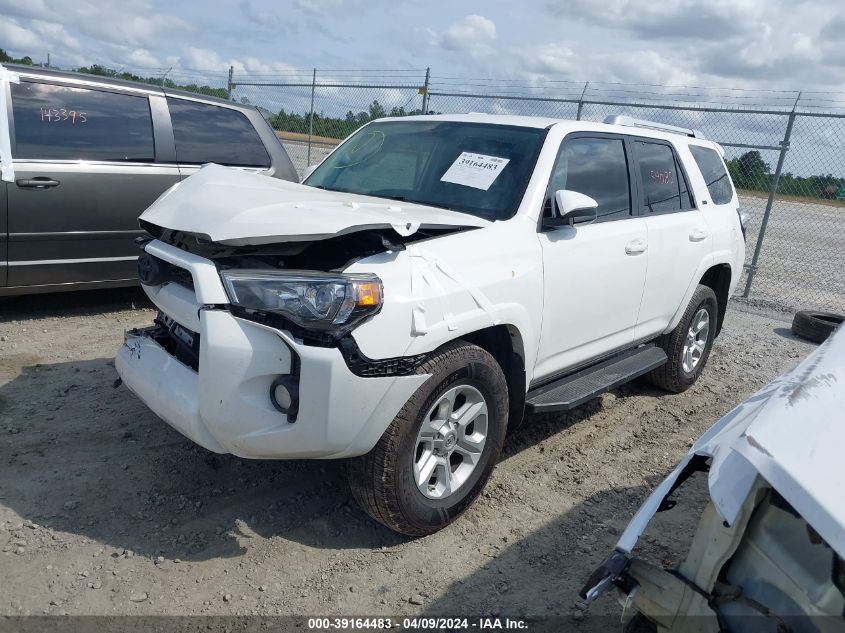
{"x":672,"y":376}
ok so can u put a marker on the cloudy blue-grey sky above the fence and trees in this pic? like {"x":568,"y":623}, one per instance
{"x":549,"y":47}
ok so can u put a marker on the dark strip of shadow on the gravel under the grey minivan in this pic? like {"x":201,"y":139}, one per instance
{"x":67,"y":304}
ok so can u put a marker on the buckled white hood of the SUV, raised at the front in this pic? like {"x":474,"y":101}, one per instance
{"x":240,"y":208}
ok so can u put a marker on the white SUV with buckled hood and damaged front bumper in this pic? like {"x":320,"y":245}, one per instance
{"x":434,"y":278}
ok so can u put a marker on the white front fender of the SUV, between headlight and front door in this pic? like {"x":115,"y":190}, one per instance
{"x":442,"y":289}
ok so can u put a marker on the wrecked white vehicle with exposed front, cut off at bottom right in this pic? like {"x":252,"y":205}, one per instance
{"x":769,"y":552}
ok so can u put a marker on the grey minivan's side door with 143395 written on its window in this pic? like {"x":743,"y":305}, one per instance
{"x":85,"y":169}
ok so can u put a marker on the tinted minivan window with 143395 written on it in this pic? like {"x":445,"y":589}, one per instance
{"x":63,"y":123}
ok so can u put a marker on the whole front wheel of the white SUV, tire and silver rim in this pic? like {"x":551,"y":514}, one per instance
{"x":384,"y":482}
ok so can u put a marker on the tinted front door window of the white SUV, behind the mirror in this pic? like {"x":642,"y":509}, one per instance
{"x":596,"y":167}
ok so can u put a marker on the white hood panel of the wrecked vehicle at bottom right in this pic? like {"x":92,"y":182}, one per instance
{"x":788,"y":436}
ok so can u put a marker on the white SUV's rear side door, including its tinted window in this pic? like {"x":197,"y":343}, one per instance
{"x":678,"y":236}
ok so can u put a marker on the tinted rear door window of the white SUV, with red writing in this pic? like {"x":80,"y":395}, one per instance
{"x":664,"y":187}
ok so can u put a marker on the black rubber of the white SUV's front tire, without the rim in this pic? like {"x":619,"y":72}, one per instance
{"x":382,"y":481}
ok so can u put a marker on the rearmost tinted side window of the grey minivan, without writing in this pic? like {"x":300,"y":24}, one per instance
{"x":213,"y":134}
